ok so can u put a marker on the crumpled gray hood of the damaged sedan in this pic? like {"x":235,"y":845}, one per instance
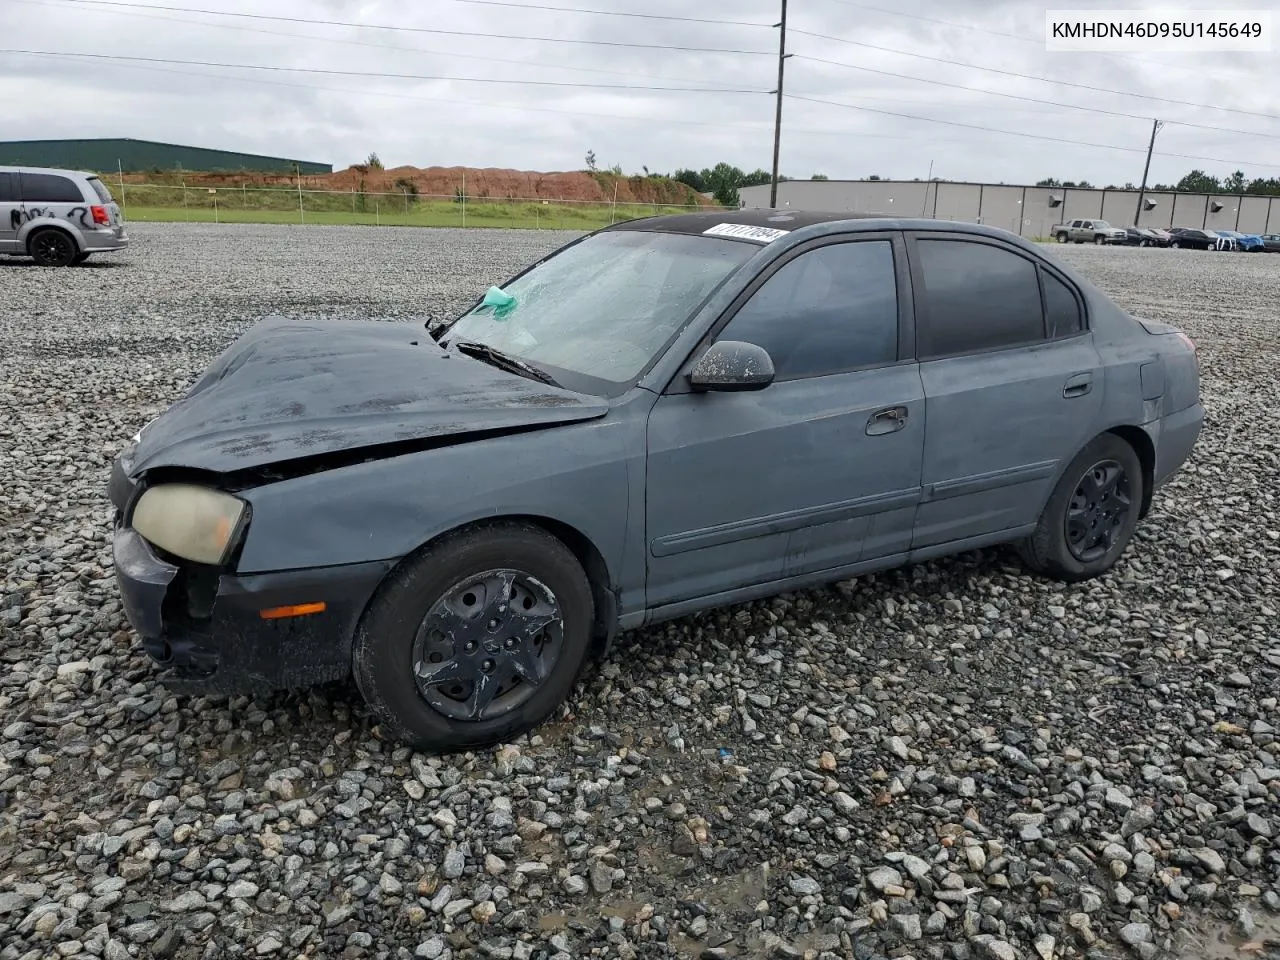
{"x":290,"y":391}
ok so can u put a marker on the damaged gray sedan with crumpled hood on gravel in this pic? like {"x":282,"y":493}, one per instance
{"x":666,"y":415}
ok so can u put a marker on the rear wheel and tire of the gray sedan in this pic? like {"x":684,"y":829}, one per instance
{"x":1053,"y":551}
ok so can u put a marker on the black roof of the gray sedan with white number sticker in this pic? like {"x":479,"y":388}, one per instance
{"x":766,"y":222}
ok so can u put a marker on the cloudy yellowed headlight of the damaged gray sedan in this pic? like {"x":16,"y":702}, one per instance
{"x":190,"y":522}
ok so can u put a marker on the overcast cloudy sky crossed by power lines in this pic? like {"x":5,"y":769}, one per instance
{"x":423,"y":122}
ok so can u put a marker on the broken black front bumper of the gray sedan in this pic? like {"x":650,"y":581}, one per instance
{"x":204,"y":627}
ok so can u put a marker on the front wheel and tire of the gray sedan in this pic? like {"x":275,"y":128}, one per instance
{"x":395,"y":638}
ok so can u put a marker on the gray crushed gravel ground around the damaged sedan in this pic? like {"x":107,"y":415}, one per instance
{"x":953,"y":761}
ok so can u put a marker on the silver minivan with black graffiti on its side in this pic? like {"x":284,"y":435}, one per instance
{"x":58,"y":218}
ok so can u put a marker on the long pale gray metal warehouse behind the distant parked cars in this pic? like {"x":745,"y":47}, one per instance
{"x":1028,"y":212}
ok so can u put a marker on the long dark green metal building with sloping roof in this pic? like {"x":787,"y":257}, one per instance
{"x":138,"y":156}
